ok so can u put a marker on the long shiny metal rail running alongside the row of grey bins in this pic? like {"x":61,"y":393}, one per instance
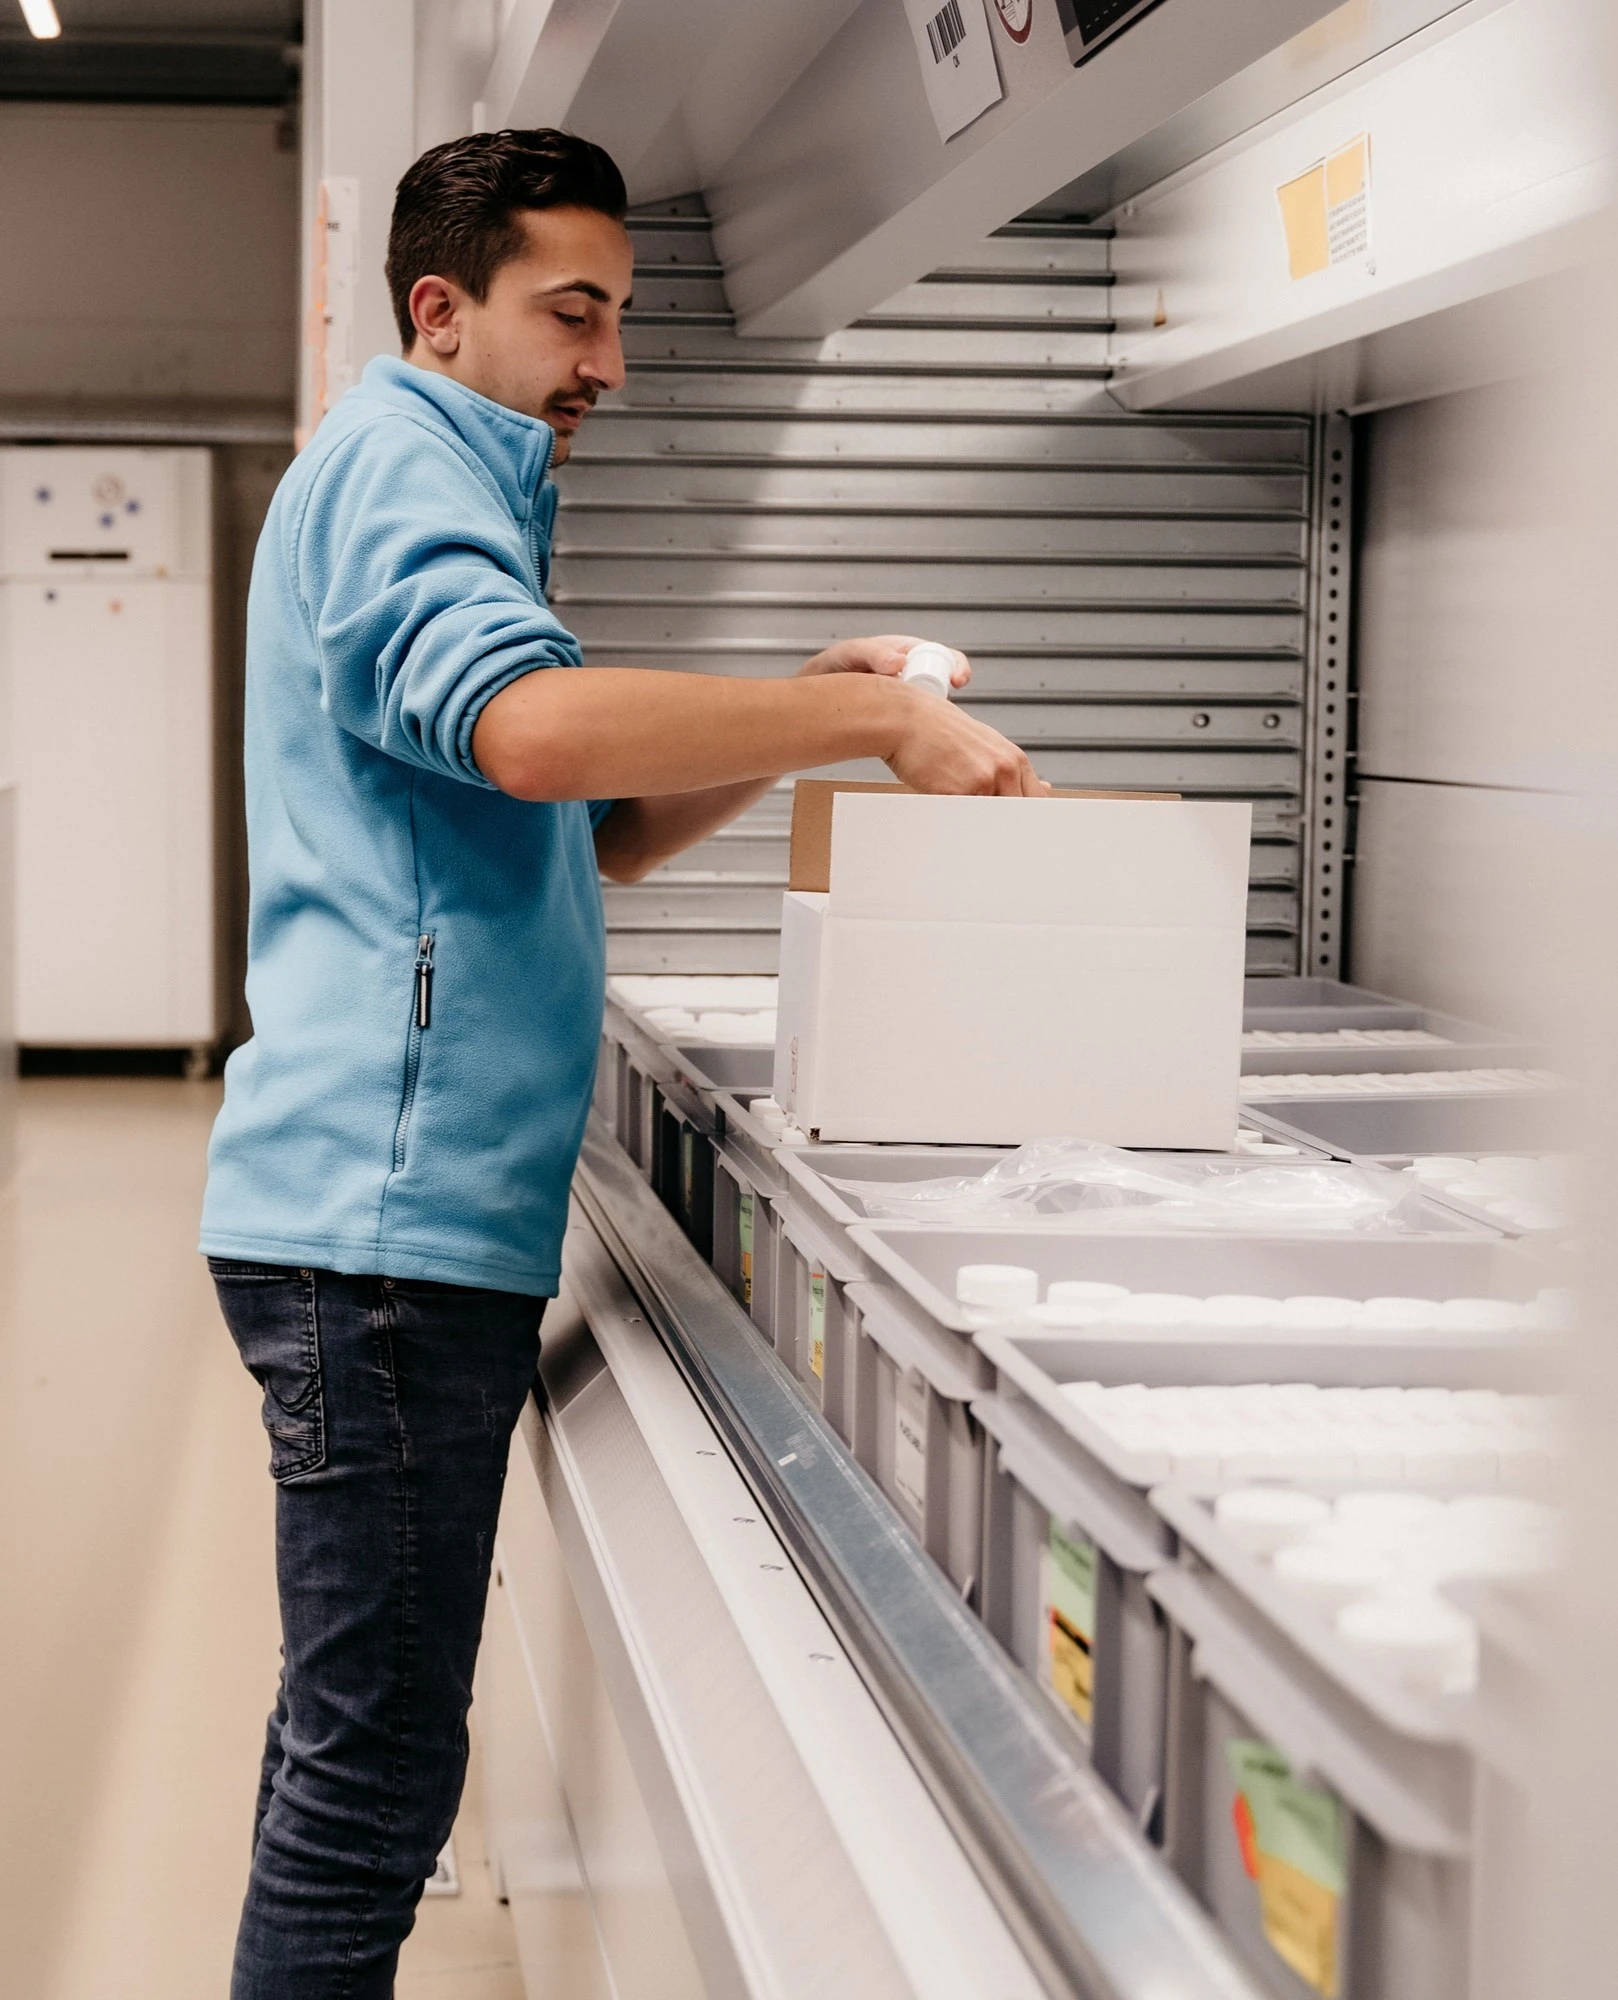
{"x":1081,"y":1889}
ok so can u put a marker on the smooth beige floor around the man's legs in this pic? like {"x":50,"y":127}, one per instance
{"x":137,"y":1591}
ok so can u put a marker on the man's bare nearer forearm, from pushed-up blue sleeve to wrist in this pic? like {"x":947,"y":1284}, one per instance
{"x":631,"y":733}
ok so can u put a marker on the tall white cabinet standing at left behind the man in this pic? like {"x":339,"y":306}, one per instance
{"x":107,"y":623}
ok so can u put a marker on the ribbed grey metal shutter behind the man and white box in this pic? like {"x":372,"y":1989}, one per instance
{"x":1135,"y":591}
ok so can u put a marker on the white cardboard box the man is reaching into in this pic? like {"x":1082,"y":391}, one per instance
{"x":993,"y":971}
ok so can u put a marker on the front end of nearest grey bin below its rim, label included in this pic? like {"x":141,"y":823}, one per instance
{"x":1379,"y":1899}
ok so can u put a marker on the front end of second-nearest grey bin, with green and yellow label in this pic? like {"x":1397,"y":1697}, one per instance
{"x":1067,"y":1555}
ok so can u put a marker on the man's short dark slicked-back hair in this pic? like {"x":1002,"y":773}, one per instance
{"x":457,"y":209}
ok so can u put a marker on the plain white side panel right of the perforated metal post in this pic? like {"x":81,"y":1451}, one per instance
{"x":1469,"y":733}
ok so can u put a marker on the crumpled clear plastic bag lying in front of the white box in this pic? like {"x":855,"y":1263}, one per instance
{"x":1071,"y":1181}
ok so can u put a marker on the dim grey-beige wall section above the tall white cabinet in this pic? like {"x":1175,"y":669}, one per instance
{"x":149,"y":257}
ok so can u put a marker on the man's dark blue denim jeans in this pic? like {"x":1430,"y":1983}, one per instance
{"x":391,"y":1405}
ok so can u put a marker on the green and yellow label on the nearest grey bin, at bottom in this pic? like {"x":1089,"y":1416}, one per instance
{"x":1293,"y":1847}
